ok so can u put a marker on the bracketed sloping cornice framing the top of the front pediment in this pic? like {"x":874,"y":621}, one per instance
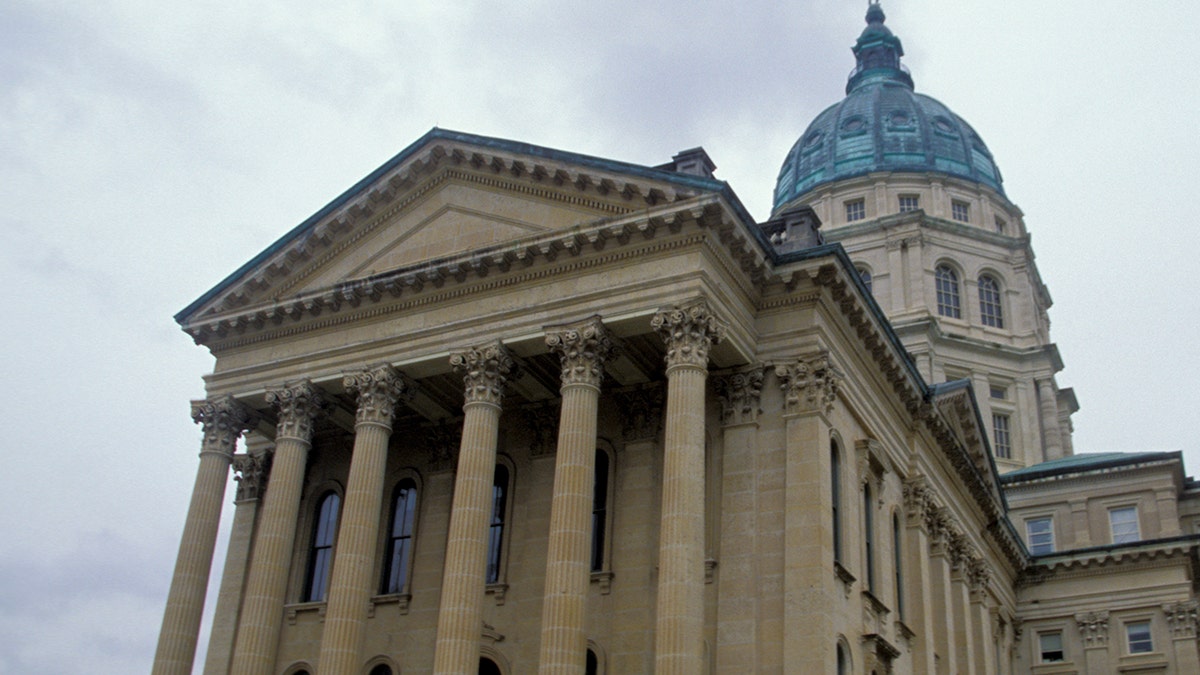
{"x":429,"y":164}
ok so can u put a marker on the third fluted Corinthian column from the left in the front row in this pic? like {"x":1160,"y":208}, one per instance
{"x":380,"y":390}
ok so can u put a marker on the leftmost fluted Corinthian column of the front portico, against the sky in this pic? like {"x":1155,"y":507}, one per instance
{"x":223,"y":420}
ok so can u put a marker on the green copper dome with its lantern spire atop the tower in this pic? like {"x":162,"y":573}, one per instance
{"x":883,"y":126}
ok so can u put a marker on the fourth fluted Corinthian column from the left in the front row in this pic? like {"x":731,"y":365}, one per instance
{"x":460,"y":618}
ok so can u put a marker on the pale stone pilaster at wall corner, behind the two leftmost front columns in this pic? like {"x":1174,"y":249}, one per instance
{"x":251,"y":481}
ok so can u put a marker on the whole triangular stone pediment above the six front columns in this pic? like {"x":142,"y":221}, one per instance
{"x":447,"y":195}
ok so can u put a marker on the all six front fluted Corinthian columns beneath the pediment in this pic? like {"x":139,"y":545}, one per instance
{"x":688,"y":333}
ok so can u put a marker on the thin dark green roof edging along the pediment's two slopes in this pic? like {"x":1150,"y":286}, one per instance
{"x":502,"y":145}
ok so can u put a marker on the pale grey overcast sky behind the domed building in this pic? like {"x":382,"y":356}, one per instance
{"x":151,"y":148}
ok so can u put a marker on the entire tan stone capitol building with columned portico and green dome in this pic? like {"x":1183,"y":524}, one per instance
{"x":505,"y":409}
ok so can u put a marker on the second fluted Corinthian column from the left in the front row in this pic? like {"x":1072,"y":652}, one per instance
{"x":268,"y":581}
